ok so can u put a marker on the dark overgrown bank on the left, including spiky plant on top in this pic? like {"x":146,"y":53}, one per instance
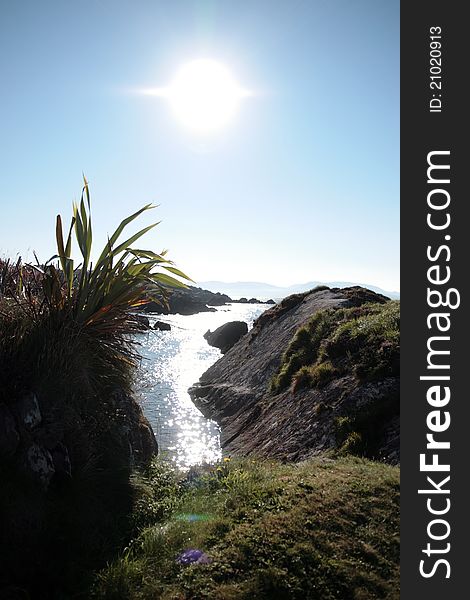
{"x":66,"y":335}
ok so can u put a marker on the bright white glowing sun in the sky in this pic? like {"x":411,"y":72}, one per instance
{"x":203,"y":96}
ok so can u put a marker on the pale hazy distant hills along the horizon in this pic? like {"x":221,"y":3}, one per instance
{"x":264,"y":291}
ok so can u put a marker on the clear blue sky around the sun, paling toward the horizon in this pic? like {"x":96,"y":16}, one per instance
{"x":302,"y":185}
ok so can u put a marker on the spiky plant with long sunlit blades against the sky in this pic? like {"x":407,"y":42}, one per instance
{"x":122,"y":279}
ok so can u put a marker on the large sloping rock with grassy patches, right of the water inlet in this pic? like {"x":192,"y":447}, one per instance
{"x":318,"y":371}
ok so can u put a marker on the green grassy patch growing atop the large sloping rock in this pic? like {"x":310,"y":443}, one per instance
{"x":362,"y":340}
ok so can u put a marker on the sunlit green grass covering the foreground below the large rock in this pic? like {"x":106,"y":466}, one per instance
{"x":325,"y":529}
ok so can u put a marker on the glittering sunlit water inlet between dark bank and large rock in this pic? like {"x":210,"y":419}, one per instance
{"x":172,"y":361}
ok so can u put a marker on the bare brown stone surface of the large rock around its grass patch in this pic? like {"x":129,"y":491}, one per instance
{"x":294,"y":424}
